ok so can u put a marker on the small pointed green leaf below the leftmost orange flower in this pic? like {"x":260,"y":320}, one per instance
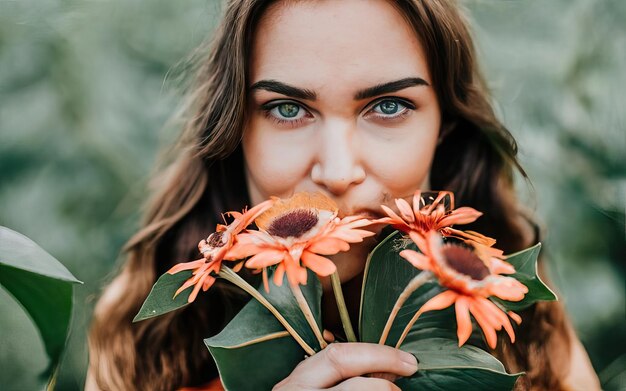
{"x":161,"y":299}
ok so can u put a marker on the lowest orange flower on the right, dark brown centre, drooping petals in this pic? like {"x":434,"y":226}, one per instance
{"x":470,"y":281}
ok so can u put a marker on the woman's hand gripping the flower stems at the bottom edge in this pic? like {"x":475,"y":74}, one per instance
{"x":341,"y":366}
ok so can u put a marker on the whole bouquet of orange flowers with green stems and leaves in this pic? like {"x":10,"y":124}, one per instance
{"x":426,"y":286}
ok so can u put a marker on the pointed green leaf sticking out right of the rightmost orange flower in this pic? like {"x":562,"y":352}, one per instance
{"x":525,"y":263}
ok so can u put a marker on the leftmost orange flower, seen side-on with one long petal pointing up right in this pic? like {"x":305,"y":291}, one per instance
{"x":215,"y":249}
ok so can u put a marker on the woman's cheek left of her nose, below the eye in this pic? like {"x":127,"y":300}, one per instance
{"x":276,"y":161}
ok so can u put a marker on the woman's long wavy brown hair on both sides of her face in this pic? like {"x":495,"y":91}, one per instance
{"x":475,"y":158}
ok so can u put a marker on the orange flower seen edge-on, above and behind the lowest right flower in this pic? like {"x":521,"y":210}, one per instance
{"x":434,"y":212}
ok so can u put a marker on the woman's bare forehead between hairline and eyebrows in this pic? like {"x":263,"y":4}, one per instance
{"x":314,"y":43}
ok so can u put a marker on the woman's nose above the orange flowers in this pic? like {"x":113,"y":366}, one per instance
{"x":338,"y":165}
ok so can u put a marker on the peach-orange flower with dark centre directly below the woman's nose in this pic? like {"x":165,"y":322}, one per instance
{"x":295,"y":234}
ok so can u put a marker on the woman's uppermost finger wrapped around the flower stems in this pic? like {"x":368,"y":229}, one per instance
{"x":340,"y":361}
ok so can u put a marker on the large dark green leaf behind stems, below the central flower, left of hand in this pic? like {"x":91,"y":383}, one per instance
{"x":254,"y":351}
